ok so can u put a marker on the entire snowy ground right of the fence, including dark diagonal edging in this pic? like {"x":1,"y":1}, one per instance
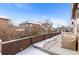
{"x":48,"y":47}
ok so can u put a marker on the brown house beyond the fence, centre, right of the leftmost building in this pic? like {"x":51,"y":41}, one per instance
{"x":36,"y":28}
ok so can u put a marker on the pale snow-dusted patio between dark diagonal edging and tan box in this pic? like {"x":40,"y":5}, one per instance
{"x":53,"y":45}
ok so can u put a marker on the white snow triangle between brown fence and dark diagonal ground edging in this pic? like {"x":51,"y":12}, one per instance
{"x":32,"y":51}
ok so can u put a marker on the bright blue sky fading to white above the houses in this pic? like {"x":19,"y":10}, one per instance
{"x":57,"y":12}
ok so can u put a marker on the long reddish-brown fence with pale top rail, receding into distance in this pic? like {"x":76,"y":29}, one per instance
{"x":14,"y":46}
